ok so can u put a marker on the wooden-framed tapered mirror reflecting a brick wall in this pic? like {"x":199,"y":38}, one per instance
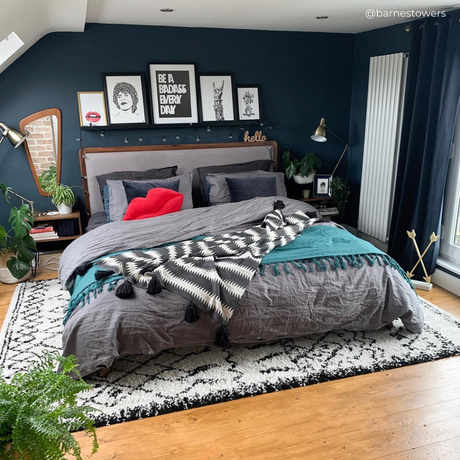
{"x":43,"y":147}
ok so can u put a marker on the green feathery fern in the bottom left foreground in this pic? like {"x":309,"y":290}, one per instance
{"x":38,"y":410}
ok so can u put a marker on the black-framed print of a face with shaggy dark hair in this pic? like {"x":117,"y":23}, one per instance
{"x":125,"y":97}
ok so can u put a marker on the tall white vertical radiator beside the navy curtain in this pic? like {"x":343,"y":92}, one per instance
{"x":385,"y":100}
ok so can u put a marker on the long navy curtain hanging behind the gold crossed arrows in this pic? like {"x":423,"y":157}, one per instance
{"x":430,"y":112}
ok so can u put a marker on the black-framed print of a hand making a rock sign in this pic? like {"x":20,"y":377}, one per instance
{"x":217,"y":98}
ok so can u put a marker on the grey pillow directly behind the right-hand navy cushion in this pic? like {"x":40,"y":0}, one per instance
{"x":219,"y":193}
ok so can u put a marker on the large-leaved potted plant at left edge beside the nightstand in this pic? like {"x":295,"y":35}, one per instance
{"x":16,"y":244}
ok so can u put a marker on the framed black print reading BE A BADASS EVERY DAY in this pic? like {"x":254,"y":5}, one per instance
{"x":173,"y":93}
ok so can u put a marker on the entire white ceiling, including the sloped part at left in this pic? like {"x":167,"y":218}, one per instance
{"x":32,"y":19}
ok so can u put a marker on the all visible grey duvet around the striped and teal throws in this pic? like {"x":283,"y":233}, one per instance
{"x":273,"y":307}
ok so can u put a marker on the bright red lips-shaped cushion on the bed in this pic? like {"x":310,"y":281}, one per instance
{"x":158,"y":202}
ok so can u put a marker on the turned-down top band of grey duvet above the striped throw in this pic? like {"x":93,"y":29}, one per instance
{"x":119,"y":236}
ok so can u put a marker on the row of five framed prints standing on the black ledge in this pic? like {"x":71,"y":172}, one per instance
{"x":175,"y":95}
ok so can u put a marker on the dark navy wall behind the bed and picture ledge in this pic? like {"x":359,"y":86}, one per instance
{"x":303,"y":77}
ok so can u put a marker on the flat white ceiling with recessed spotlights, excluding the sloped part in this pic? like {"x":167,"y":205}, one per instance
{"x":295,"y":15}
